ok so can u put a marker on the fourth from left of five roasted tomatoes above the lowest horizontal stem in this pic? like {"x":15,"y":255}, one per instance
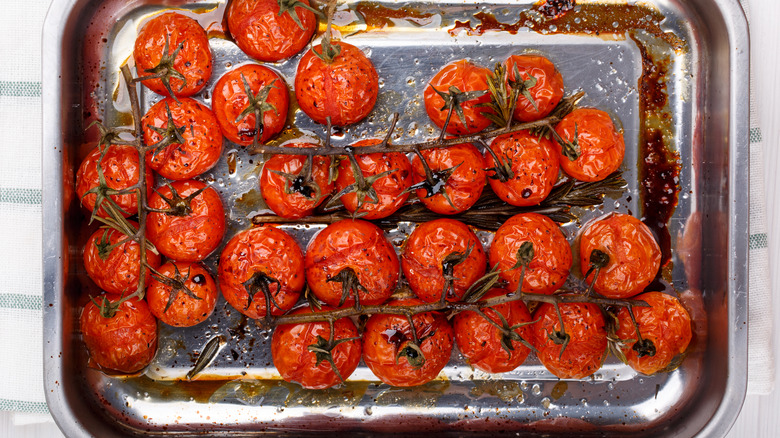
{"x":552,"y":258}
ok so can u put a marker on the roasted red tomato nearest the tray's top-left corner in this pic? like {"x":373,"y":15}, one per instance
{"x":177,"y":47}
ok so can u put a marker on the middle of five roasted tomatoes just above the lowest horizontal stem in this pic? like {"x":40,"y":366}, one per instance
{"x":435,"y":247}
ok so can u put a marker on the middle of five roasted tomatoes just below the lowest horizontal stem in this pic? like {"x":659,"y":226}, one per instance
{"x":494,"y":347}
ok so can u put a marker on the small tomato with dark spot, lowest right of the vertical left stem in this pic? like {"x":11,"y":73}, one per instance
{"x":187,"y":307}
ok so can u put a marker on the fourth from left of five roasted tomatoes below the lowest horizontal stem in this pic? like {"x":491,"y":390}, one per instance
{"x":583,"y":326}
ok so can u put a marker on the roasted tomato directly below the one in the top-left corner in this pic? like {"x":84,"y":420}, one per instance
{"x":202,"y":145}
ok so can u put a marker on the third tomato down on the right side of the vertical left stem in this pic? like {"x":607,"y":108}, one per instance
{"x":186,"y":233}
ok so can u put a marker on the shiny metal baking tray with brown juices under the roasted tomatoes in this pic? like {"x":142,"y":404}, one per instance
{"x":240,"y":393}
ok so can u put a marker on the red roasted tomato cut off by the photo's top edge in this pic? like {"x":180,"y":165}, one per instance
{"x":267,"y":33}
